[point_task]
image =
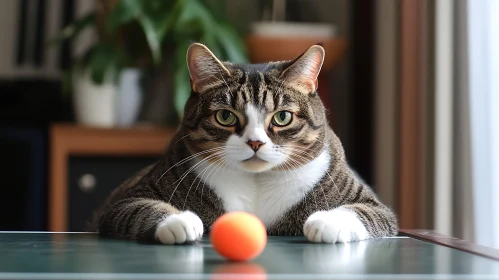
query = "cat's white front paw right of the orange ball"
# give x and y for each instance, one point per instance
(338, 225)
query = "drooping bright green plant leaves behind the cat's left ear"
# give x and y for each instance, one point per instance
(170, 27)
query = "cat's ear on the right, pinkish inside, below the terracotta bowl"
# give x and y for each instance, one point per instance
(303, 72)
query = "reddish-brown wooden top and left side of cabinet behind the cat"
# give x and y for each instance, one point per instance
(71, 139)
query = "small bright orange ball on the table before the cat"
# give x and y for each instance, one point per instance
(238, 236)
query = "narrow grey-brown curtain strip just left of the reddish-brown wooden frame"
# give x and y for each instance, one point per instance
(386, 62)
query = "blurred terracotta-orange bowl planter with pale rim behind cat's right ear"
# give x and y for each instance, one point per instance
(282, 34)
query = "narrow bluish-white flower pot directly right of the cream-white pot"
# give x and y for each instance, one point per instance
(129, 97)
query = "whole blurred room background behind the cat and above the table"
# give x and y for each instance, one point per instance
(92, 90)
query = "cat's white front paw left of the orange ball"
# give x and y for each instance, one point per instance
(179, 228)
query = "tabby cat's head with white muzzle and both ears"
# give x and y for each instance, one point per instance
(255, 117)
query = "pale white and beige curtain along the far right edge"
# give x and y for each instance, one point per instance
(466, 181)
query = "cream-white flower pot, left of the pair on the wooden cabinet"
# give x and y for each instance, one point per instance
(94, 104)
